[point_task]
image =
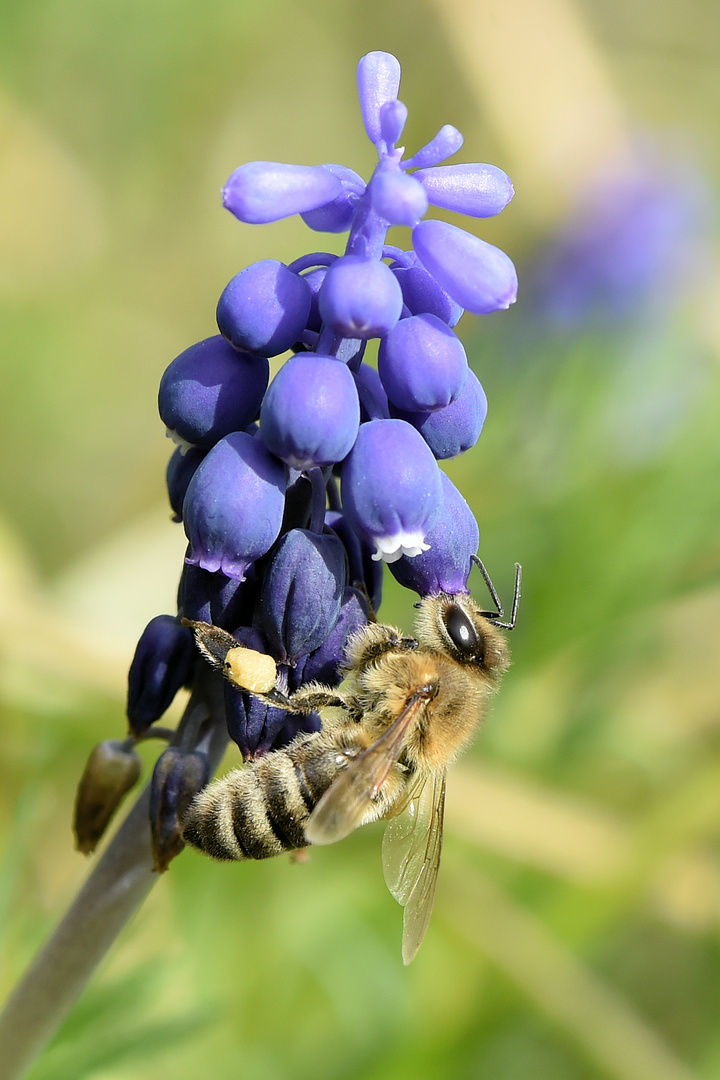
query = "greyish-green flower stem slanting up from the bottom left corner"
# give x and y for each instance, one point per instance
(116, 888)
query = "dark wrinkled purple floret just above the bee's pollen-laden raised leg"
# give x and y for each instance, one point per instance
(302, 593)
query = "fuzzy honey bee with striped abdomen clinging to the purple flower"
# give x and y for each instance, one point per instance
(406, 709)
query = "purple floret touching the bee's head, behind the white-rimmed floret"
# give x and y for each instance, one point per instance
(446, 565)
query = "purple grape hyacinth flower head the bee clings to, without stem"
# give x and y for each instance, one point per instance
(280, 559)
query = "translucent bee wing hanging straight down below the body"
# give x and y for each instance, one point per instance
(412, 850)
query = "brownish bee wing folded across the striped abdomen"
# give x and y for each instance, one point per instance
(350, 796)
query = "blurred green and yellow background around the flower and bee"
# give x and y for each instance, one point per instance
(577, 926)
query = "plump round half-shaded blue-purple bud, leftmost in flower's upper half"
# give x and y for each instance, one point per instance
(210, 390)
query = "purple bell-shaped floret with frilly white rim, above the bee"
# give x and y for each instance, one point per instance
(391, 489)
